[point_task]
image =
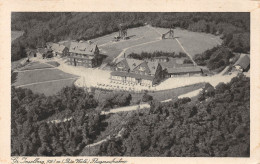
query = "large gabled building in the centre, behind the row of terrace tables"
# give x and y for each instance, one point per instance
(133, 71)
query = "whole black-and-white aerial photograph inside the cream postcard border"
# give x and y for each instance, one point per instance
(131, 84)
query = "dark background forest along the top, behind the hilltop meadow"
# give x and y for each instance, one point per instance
(41, 27)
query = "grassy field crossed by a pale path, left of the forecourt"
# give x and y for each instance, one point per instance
(36, 77)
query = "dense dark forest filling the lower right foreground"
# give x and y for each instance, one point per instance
(216, 125)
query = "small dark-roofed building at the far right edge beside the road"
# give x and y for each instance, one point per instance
(243, 63)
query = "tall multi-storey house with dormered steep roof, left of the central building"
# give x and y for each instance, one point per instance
(84, 54)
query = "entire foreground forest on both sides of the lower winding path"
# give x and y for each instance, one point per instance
(216, 124)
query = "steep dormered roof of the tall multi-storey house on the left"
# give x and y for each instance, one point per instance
(83, 48)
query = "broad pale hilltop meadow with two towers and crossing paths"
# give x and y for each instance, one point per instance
(193, 42)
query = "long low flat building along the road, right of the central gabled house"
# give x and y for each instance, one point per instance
(184, 71)
